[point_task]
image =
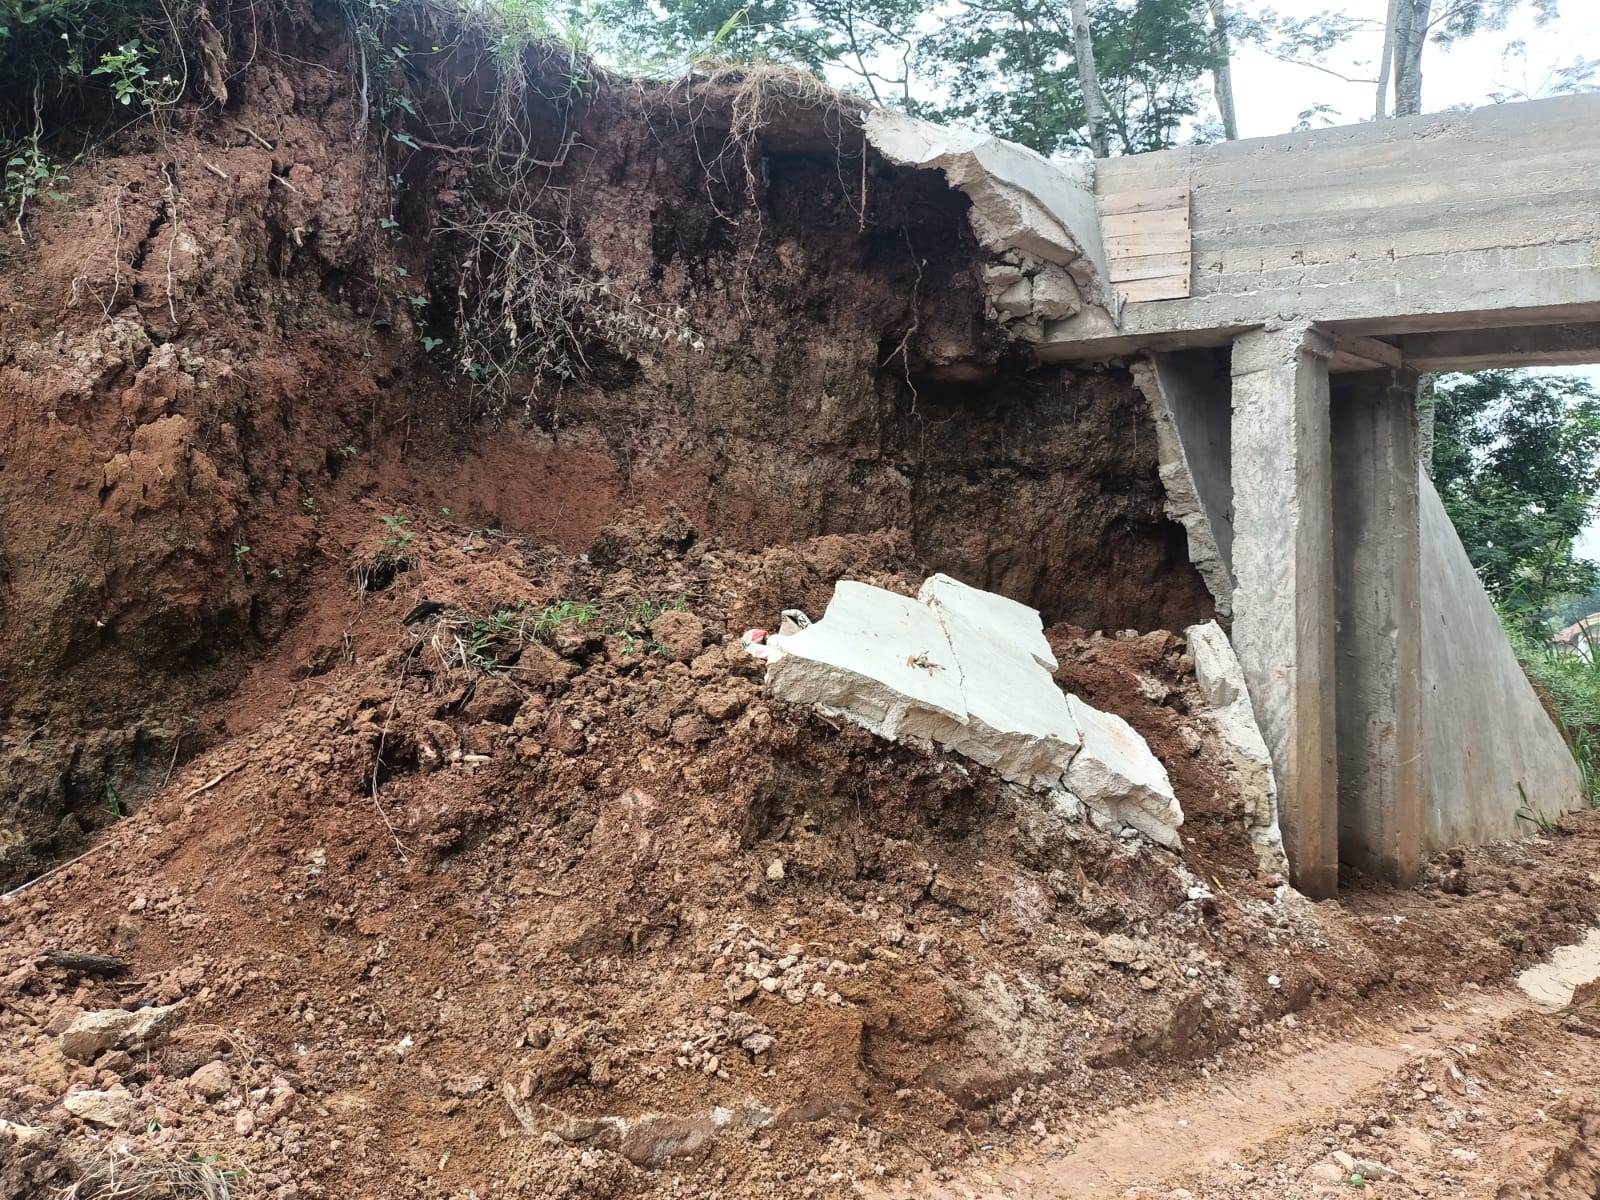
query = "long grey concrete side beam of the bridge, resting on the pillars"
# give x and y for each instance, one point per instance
(1433, 223)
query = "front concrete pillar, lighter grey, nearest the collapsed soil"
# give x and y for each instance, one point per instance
(1284, 620)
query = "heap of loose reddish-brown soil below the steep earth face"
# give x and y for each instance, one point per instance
(543, 892)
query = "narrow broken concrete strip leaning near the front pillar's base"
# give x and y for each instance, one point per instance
(1222, 682)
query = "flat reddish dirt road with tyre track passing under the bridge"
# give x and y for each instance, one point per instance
(1482, 1097)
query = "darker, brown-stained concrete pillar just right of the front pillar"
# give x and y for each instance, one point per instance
(1378, 599)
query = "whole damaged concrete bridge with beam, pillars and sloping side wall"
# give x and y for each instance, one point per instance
(1278, 300)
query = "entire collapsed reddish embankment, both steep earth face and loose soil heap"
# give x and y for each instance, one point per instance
(535, 889)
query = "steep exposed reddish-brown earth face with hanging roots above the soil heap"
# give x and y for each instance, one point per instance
(521, 298)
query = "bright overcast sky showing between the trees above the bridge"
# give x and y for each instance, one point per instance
(1271, 95)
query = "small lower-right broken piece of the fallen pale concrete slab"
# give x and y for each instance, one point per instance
(1119, 780)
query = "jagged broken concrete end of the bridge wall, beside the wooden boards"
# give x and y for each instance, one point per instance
(1034, 212)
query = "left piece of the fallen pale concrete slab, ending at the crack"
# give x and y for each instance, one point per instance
(876, 658)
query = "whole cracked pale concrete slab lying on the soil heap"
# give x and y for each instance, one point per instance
(972, 671)
